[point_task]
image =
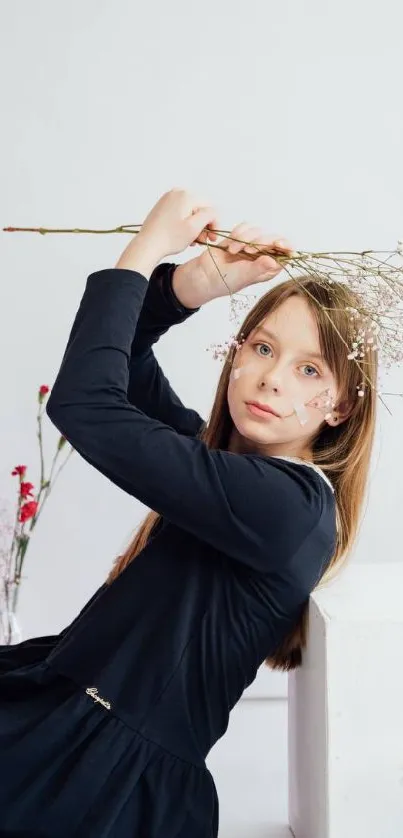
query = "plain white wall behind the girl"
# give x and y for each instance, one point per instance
(287, 114)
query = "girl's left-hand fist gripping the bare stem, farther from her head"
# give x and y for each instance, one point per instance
(176, 220)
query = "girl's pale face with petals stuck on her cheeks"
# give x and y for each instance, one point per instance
(280, 365)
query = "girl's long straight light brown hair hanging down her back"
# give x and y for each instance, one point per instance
(343, 452)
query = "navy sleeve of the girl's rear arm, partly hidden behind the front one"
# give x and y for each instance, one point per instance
(149, 389)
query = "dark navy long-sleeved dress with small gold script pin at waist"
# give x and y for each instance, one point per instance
(105, 727)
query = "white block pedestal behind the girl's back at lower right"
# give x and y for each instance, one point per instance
(345, 710)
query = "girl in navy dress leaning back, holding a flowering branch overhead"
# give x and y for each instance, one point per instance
(105, 728)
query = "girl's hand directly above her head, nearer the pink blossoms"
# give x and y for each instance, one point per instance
(234, 262)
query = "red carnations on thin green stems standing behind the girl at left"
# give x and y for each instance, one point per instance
(29, 508)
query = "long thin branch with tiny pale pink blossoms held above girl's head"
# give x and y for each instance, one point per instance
(376, 277)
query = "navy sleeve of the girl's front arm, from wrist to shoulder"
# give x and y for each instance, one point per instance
(258, 510)
